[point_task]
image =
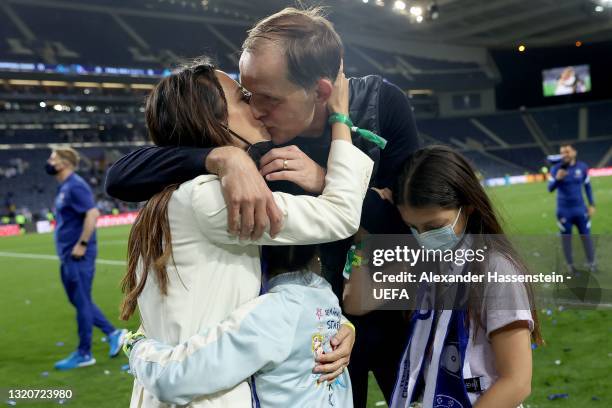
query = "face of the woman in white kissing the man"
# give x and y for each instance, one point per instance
(239, 117)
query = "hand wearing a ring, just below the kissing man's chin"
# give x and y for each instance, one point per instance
(291, 164)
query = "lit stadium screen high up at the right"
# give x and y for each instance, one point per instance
(566, 80)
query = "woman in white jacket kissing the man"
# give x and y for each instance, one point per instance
(185, 271)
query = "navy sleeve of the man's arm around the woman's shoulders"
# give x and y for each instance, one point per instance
(141, 174)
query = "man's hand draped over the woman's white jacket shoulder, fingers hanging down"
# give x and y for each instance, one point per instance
(251, 206)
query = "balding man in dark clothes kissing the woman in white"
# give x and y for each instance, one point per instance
(288, 65)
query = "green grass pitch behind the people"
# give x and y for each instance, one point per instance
(37, 324)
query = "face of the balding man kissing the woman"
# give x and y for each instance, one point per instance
(286, 109)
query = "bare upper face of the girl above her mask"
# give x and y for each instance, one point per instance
(430, 218)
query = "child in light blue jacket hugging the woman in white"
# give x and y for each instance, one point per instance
(276, 337)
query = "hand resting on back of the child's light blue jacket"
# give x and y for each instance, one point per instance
(333, 364)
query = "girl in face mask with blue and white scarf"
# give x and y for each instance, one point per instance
(480, 354)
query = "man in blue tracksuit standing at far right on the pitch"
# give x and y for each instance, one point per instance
(568, 178)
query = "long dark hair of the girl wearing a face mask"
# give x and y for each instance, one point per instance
(439, 176)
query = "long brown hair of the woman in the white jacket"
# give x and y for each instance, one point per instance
(187, 108)
